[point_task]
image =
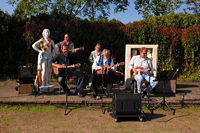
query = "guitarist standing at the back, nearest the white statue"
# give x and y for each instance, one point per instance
(70, 44)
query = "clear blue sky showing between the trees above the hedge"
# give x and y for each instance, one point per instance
(125, 17)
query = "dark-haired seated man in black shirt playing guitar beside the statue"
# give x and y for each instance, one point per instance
(66, 59)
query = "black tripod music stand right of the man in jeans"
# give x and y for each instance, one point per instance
(165, 76)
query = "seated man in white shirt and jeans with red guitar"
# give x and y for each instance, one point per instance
(142, 67)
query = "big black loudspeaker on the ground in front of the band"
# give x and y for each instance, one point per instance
(126, 104)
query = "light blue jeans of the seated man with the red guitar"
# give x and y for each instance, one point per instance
(140, 79)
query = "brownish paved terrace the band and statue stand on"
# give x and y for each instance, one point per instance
(190, 91)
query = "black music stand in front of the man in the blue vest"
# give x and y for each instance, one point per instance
(101, 79)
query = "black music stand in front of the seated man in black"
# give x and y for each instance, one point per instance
(66, 72)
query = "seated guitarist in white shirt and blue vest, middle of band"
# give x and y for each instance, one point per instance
(99, 63)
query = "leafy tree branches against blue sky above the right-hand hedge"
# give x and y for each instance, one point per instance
(149, 8)
